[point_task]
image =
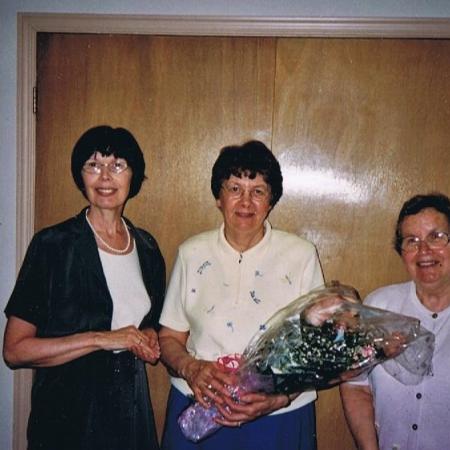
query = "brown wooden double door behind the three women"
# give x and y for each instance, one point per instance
(358, 125)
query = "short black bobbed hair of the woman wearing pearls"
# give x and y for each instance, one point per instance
(107, 141)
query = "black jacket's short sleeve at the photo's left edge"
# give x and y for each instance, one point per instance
(29, 299)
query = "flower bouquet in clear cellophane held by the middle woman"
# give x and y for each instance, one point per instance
(320, 339)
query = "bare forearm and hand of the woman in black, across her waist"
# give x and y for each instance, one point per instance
(21, 347)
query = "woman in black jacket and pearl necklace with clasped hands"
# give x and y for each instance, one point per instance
(85, 309)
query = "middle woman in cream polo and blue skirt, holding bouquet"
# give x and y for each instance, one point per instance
(224, 286)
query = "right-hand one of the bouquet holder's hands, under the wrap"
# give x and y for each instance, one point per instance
(250, 407)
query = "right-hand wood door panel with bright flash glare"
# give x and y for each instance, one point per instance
(360, 126)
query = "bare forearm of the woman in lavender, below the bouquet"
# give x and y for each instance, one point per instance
(359, 412)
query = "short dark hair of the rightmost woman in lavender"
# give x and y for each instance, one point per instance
(414, 205)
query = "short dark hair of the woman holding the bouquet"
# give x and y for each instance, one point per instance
(249, 159)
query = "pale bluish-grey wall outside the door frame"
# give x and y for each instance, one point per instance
(8, 86)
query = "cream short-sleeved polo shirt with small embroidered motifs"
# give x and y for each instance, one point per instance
(223, 297)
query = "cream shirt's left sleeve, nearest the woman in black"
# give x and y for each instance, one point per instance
(173, 314)
